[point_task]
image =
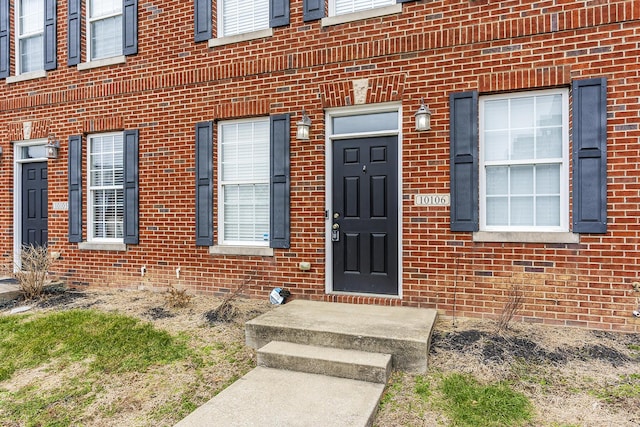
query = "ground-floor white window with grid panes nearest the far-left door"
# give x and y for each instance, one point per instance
(106, 186)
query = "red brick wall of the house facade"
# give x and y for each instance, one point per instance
(430, 50)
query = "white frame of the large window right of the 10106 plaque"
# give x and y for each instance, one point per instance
(563, 227)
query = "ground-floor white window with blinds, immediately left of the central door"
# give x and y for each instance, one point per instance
(244, 182)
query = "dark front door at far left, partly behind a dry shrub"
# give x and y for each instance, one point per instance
(34, 204)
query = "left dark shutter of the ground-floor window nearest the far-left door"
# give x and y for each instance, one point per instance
(75, 188)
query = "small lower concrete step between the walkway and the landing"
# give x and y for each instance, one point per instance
(353, 364)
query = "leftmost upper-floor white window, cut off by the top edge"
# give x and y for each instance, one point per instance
(30, 40)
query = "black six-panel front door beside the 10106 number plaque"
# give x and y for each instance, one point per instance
(365, 215)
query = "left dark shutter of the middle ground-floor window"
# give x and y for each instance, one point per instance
(204, 184)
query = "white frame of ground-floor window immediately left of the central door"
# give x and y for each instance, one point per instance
(221, 185)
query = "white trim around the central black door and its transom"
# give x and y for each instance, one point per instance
(329, 138)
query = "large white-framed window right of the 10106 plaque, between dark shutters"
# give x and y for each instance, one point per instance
(524, 158)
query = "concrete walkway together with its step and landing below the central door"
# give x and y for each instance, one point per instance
(320, 364)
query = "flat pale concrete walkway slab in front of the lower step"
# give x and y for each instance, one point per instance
(269, 397)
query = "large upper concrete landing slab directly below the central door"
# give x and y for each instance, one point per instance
(403, 332)
